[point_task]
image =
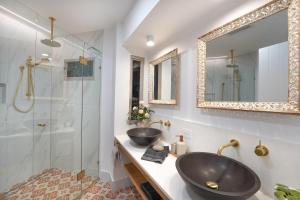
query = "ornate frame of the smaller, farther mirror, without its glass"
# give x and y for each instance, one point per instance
(171, 54)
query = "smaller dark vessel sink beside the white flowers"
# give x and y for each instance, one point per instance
(144, 136)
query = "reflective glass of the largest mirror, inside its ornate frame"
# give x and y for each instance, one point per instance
(250, 64)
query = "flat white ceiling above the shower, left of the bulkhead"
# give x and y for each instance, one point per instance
(78, 16)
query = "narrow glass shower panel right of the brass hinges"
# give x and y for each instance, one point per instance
(90, 115)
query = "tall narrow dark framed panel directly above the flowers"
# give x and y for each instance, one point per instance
(136, 88)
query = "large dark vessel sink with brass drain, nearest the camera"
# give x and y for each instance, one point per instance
(216, 177)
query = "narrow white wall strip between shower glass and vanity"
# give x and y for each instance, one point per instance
(107, 104)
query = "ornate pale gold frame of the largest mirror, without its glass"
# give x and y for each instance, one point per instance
(292, 106)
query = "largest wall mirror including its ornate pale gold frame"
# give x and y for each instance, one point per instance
(252, 63)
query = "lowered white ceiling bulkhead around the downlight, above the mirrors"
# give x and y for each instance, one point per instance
(173, 20)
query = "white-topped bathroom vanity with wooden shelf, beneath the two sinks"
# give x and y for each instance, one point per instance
(164, 178)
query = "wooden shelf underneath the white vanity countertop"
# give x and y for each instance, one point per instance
(136, 178)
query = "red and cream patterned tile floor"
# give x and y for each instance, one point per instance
(63, 185)
